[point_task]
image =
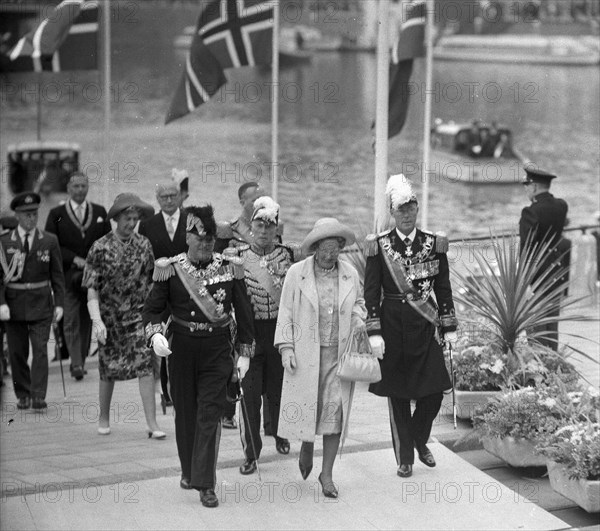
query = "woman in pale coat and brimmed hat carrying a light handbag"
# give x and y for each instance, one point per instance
(321, 302)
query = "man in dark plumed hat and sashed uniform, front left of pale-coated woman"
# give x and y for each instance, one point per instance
(201, 288)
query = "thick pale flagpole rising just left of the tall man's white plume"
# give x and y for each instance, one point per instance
(381, 115)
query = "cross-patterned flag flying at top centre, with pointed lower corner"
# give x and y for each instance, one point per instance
(229, 34)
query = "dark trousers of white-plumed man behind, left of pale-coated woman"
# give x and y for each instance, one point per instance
(265, 375)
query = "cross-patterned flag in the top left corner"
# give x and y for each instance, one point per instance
(64, 40)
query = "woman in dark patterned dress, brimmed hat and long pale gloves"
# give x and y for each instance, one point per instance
(118, 275)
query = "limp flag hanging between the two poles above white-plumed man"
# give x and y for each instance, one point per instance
(411, 44)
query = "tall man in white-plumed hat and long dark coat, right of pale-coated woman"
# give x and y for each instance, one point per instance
(411, 311)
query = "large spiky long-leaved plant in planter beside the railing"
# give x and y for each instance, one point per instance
(515, 293)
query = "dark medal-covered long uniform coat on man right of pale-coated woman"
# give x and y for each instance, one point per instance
(413, 364)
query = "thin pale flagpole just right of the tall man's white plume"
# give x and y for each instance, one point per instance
(429, 5)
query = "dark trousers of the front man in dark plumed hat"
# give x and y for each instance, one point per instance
(199, 369)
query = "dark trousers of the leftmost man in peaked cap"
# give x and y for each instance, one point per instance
(29, 383)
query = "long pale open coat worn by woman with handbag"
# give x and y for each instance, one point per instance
(297, 327)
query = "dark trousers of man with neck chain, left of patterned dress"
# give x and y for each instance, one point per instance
(77, 326)
